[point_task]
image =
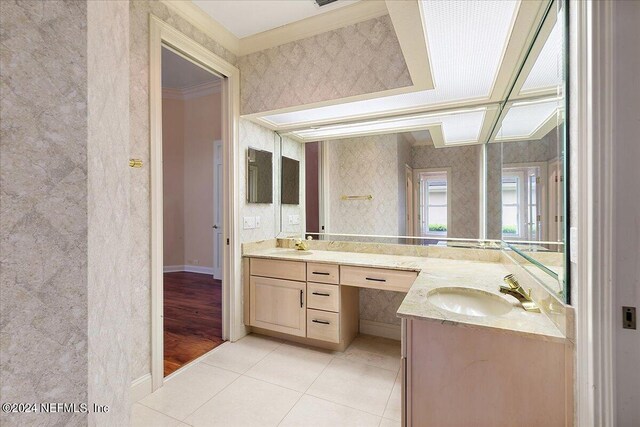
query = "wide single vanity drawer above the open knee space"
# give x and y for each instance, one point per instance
(377, 278)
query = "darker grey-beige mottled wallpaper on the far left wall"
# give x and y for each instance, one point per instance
(43, 208)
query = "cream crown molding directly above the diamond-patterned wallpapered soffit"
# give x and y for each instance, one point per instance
(314, 25)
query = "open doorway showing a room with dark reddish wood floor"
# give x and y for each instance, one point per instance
(192, 210)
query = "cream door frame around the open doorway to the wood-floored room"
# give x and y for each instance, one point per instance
(232, 326)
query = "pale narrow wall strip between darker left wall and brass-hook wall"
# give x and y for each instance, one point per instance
(109, 296)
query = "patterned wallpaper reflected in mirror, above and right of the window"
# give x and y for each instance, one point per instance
(465, 184)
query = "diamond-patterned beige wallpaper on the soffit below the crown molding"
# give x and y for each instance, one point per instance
(354, 60)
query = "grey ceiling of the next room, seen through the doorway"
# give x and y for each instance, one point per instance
(179, 73)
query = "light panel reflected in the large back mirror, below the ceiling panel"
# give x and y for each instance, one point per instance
(457, 128)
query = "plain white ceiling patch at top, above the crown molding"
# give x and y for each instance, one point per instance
(245, 18)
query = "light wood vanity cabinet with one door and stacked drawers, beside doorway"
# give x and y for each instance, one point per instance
(300, 301)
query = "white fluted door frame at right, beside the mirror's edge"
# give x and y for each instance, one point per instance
(592, 108)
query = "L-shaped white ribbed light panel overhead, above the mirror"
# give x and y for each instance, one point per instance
(466, 41)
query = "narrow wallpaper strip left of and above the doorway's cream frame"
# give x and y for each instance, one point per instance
(140, 255)
